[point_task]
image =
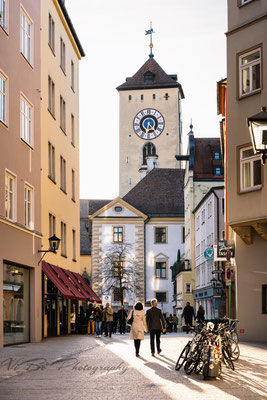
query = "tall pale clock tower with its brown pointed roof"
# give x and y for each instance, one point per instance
(150, 123)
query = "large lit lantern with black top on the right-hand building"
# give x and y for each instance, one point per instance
(258, 131)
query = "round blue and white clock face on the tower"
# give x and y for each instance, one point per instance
(148, 123)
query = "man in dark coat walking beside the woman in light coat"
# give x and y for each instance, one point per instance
(155, 323)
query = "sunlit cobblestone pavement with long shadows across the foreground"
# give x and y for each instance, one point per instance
(84, 367)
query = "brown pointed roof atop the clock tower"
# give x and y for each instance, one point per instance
(160, 78)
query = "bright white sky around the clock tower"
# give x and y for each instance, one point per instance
(189, 41)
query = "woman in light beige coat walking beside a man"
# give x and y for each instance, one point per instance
(138, 327)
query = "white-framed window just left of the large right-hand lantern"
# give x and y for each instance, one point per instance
(250, 170)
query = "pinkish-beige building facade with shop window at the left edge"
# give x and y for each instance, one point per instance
(20, 149)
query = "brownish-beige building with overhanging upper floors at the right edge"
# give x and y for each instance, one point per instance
(246, 181)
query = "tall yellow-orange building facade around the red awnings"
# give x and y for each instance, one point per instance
(61, 53)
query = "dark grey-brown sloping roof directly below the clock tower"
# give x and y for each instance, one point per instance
(160, 193)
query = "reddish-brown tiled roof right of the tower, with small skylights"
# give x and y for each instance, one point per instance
(204, 162)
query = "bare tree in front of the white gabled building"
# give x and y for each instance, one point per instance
(119, 270)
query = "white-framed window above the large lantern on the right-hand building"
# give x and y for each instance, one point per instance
(250, 72)
